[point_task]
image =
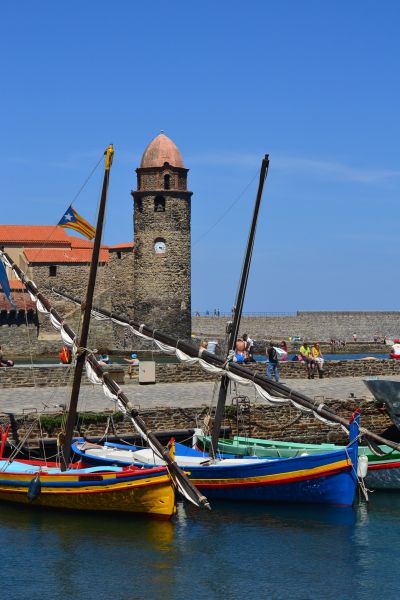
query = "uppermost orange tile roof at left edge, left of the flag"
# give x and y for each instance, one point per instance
(33, 234)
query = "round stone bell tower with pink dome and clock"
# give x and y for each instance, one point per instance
(161, 222)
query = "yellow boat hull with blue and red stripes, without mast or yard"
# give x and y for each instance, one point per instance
(116, 489)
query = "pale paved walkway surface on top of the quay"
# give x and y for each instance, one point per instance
(19, 400)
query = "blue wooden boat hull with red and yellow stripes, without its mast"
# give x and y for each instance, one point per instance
(324, 478)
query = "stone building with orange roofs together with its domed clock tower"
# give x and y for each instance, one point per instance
(148, 280)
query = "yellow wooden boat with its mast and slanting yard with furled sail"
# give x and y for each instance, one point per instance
(145, 491)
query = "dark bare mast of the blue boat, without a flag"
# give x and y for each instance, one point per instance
(238, 308)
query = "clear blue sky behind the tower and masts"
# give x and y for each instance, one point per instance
(312, 83)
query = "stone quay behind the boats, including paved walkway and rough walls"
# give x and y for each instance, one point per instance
(170, 406)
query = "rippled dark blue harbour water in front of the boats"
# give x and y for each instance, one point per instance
(250, 552)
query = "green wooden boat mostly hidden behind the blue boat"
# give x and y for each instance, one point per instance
(383, 470)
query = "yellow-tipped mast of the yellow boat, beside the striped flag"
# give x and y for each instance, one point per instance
(87, 307)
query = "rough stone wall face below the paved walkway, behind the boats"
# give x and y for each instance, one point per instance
(285, 423)
